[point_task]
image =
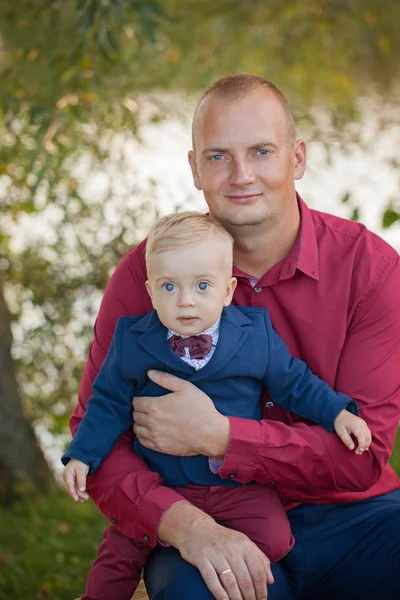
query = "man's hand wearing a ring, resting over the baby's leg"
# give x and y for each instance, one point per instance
(232, 566)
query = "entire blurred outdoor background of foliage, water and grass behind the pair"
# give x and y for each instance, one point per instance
(96, 98)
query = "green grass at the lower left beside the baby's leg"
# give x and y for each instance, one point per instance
(47, 546)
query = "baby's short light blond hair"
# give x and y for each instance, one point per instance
(182, 229)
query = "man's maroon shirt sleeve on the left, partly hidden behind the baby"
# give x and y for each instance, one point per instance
(125, 490)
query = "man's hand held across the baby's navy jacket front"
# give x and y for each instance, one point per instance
(183, 423)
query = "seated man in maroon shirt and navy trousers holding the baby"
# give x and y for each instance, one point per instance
(333, 291)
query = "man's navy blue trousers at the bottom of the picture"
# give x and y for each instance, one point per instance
(342, 552)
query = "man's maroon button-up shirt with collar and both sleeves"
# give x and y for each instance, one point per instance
(335, 300)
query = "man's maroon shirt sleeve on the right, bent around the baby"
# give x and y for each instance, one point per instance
(305, 461)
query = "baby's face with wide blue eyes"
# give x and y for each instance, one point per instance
(190, 285)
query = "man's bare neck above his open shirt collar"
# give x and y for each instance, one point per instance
(258, 249)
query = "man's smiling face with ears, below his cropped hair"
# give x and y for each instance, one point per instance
(244, 159)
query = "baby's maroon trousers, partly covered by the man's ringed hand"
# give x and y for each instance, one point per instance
(253, 509)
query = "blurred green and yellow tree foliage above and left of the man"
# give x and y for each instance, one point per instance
(77, 74)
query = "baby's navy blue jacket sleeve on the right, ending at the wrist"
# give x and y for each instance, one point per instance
(292, 385)
